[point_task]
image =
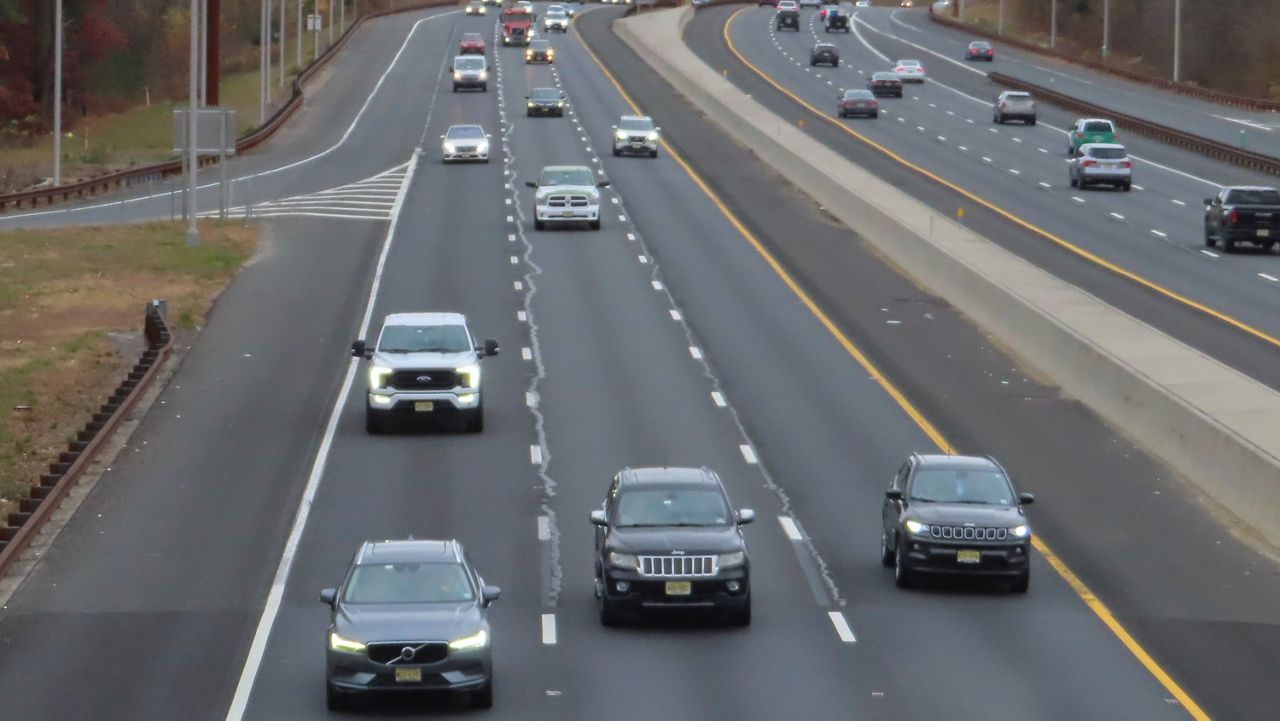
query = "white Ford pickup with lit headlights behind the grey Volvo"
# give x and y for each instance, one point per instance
(424, 366)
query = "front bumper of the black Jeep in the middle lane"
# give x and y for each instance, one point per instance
(647, 594)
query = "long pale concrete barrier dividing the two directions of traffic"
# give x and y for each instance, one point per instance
(1213, 425)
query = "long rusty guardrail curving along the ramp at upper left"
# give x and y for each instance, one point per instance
(148, 174)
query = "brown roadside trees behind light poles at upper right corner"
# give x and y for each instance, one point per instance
(1228, 45)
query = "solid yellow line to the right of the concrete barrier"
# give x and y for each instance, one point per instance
(1002, 212)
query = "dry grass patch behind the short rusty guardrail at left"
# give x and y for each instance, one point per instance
(71, 323)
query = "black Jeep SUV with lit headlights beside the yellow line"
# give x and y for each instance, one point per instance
(956, 515)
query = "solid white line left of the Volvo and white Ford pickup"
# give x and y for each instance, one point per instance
(272, 609)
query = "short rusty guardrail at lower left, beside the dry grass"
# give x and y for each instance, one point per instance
(44, 499)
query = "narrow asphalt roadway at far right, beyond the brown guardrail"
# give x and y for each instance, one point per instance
(1259, 130)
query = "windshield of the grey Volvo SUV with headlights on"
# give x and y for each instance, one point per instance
(409, 583)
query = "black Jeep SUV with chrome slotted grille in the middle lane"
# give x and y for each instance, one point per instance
(668, 539)
